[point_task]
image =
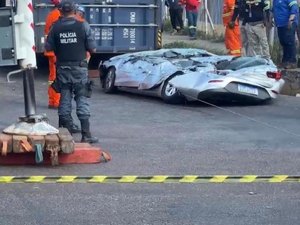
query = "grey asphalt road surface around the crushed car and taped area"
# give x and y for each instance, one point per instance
(148, 137)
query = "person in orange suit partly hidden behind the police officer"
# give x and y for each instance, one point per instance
(53, 16)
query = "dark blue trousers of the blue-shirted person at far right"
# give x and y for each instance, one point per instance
(287, 40)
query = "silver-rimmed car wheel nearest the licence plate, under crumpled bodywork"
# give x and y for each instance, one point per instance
(170, 94)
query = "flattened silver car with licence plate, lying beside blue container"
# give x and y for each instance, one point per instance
(177, 75)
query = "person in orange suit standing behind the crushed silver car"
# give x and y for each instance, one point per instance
(232, 33)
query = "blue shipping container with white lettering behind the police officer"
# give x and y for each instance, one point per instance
(119, 26)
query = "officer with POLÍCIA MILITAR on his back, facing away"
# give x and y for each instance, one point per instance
(70, 39)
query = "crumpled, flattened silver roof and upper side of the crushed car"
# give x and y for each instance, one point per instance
(147, 69)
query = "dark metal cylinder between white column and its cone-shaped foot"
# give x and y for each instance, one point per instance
(29, 93)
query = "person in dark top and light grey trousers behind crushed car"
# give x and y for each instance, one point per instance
(255, 14)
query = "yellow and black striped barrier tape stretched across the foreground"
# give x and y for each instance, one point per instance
(165, 179)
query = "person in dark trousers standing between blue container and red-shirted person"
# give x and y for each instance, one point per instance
(176, 11)
